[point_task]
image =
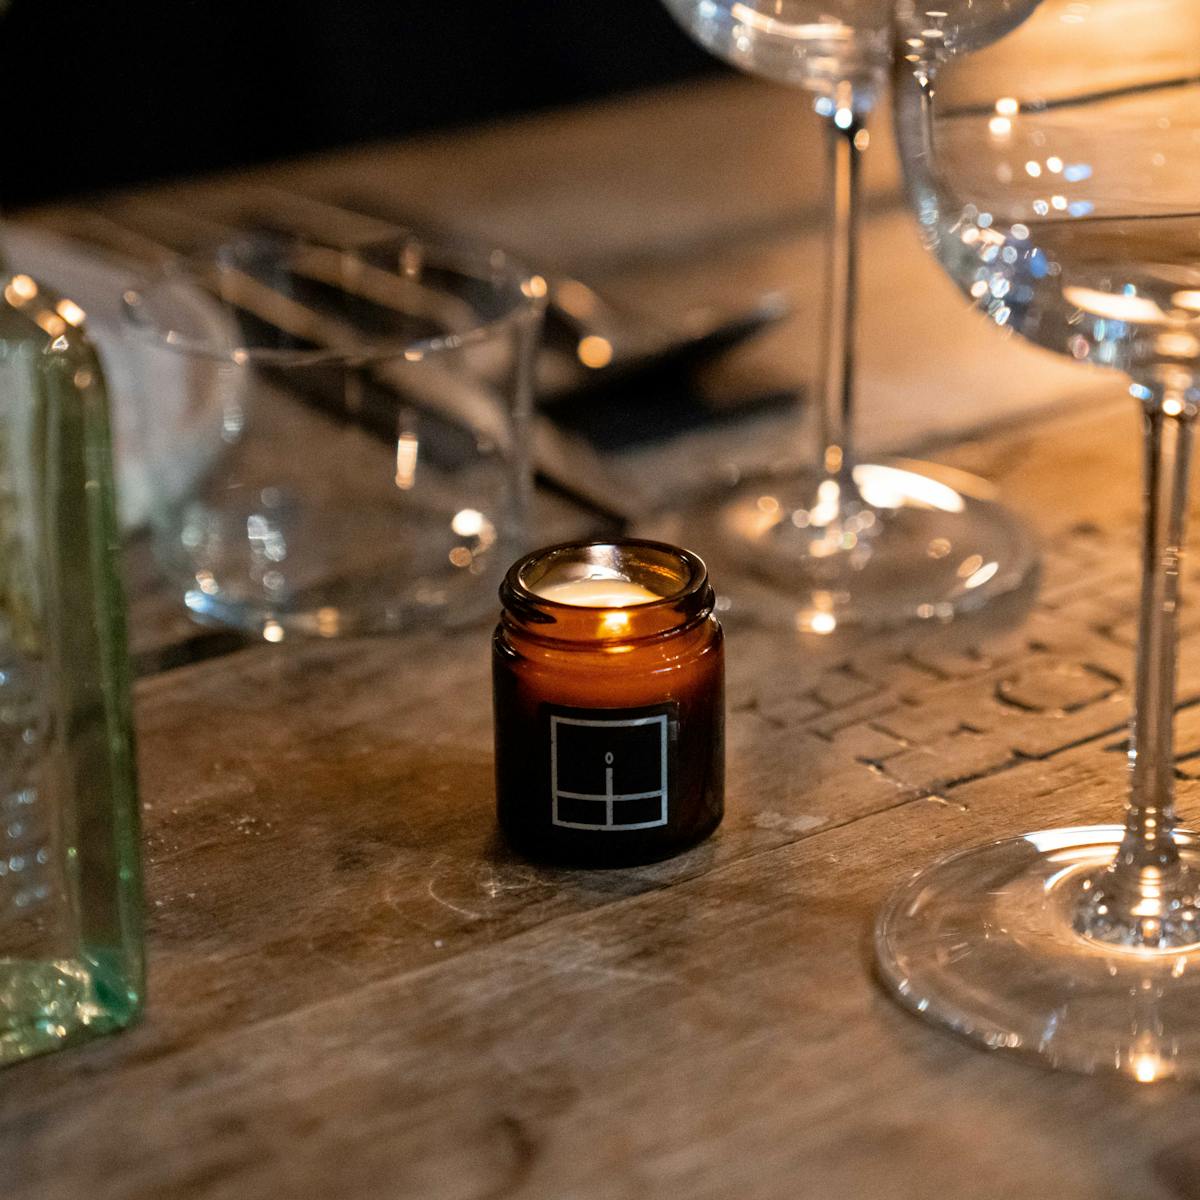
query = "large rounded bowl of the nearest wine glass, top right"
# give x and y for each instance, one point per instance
(1081, 243)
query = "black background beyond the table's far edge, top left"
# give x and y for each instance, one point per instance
(116, 93)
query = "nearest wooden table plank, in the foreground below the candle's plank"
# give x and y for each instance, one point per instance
(722, 1037)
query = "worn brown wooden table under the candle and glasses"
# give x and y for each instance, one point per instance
(358, 993)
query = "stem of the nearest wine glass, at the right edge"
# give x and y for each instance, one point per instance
(1151, 817)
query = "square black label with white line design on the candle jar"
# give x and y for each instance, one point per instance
(610, 770)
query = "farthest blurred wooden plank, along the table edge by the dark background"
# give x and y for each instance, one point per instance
(565, 190)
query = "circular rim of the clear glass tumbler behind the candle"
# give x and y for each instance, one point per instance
(523, 293)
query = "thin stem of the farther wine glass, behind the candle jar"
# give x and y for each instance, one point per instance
(847, 140)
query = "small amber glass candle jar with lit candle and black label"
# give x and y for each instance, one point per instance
(609, 687)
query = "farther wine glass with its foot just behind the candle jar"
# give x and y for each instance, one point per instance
(848, 543)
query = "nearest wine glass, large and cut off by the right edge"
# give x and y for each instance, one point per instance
(1057, 176)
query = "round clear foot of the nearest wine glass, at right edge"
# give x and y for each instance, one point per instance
(983, 944)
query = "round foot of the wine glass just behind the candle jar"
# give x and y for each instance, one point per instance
(916, 542)
